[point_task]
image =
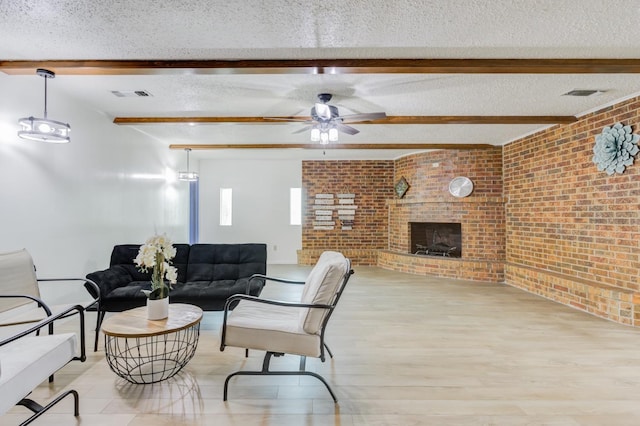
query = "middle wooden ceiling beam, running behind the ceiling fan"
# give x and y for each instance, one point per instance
(401, 119)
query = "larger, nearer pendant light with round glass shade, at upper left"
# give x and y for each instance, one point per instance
(43, 129)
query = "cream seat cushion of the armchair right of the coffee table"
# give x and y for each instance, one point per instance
(272, 328)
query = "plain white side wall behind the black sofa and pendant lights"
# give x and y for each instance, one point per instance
(69, 204)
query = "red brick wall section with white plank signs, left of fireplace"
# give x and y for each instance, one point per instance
(372, 183)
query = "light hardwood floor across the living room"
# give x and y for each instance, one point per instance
(409, 350)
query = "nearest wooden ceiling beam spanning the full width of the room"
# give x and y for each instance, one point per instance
(326, 66)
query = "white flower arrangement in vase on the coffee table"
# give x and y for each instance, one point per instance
(156, 253)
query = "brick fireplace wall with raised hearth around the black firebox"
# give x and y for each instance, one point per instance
(428, 200)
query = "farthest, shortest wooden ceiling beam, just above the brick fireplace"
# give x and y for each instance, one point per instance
(412, 146)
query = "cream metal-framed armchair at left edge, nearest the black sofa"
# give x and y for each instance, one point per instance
(20, 301)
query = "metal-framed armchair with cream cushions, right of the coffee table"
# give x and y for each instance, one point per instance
(296, 328)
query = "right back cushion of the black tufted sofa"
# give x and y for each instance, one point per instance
(218, 262)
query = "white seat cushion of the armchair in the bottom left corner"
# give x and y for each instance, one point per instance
(29, 361)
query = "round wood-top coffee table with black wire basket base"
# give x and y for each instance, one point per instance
(144, 351)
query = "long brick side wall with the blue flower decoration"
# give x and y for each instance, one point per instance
(573, 233)
